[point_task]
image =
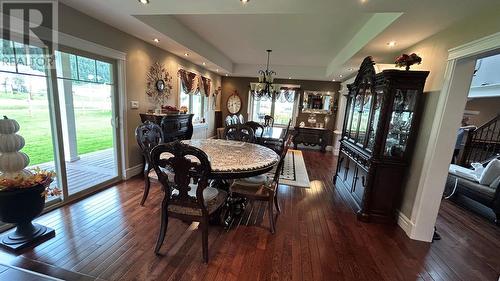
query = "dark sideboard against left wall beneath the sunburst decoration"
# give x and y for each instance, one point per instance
(174, 126)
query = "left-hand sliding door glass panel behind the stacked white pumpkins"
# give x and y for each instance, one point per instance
(25, 97)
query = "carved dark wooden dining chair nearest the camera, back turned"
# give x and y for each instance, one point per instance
(189, 197)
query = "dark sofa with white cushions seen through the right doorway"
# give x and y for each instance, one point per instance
(472, 184)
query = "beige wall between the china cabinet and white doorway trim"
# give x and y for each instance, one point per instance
(434, 52)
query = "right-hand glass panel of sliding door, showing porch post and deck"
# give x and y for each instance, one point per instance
(86, 101)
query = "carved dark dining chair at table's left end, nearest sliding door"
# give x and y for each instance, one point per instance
(148, 135)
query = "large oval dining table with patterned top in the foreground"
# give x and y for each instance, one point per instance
(231, 160)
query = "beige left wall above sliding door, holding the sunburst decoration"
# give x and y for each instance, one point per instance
(140, 56)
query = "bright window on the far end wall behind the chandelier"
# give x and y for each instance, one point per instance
(280, 108)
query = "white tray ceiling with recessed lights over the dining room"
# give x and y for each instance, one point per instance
(313, 39)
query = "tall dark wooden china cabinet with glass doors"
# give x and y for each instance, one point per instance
(379, 131)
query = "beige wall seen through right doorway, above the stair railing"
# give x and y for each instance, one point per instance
(488, 108)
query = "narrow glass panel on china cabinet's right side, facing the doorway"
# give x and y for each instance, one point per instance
(400, 124)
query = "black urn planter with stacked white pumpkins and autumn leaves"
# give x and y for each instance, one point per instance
(22, 192)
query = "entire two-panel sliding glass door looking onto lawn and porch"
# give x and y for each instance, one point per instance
(68, 116)
